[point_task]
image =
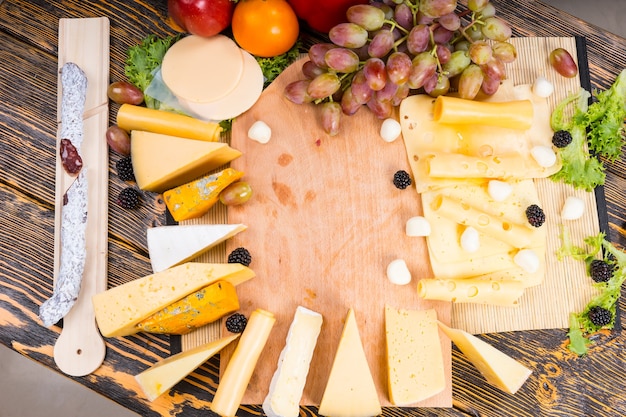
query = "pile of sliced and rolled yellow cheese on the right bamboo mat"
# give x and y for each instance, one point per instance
(455, 148)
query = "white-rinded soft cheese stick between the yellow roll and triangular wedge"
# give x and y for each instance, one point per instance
(287, 384)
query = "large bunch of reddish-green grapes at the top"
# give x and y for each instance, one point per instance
(392, 48)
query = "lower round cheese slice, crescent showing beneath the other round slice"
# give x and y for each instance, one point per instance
(245, 94)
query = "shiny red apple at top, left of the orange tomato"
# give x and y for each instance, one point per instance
(201, 17)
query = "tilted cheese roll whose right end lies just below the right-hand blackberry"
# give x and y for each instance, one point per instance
(516, 235)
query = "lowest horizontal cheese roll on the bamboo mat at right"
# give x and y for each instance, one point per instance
(472, 290)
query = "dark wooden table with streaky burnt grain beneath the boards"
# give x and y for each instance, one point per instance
(561, 384)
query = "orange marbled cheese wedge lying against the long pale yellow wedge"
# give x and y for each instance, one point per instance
(195, 310)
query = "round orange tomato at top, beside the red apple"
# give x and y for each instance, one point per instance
(265, 28)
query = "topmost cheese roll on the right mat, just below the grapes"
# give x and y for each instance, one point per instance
(516, 114)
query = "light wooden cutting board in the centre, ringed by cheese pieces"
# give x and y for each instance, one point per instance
(324, 222)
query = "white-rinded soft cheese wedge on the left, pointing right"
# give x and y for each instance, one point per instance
(172, 245)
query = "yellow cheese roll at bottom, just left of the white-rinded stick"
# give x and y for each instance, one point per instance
(239, 370)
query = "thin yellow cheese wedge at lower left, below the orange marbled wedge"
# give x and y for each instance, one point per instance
(163, 375)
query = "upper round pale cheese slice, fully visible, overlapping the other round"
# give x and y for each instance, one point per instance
(202, 69)
